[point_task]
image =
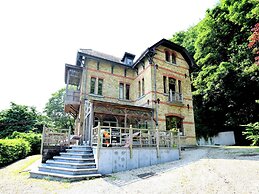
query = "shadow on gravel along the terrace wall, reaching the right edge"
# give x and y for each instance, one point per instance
(189, 156)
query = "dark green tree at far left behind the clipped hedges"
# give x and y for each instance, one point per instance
(18, 118)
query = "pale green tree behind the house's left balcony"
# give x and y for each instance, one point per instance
(55, 110)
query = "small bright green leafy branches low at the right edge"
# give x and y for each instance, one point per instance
(252, 133)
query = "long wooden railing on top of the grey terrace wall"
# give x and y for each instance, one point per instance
(133, 137)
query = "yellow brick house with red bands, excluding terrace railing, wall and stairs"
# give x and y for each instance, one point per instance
(154, 90)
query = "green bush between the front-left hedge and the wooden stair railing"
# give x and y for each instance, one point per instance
(33, 138)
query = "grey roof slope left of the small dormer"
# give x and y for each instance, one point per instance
(101, 55)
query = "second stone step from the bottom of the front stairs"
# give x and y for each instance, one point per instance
(68, 171)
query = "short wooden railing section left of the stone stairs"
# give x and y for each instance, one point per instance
(55, 137)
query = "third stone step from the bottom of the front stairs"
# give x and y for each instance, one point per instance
(70, 165)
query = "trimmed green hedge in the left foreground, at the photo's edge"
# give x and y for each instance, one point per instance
(12, 150)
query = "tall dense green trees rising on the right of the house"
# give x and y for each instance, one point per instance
(226, 84)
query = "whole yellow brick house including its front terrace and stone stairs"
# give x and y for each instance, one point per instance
(126, 110)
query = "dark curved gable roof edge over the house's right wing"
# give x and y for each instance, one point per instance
(171, 45)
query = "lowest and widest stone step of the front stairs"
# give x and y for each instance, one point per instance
(59, 177)
